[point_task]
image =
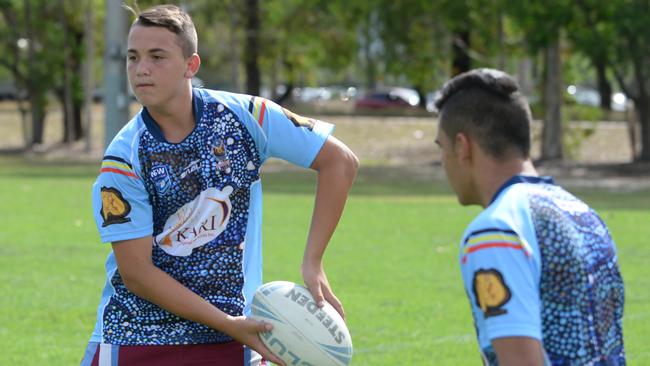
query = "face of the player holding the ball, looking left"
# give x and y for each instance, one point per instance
(156, 67)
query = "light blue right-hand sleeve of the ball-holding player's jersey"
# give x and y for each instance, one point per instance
(288, 136)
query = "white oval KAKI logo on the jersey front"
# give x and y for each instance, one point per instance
(196, 223)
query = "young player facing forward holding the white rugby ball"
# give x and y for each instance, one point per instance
(179, 198)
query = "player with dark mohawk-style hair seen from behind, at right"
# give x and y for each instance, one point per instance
(539, 266)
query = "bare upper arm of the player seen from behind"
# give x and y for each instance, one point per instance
(519, 351)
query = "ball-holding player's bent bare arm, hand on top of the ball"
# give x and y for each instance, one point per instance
(337, 167)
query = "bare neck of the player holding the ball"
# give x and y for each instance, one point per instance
(175, 117)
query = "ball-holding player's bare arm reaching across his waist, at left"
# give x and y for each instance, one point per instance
(151, 283)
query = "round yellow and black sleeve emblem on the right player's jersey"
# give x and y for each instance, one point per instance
(490, 291)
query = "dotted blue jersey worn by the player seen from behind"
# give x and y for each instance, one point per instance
(538, 262)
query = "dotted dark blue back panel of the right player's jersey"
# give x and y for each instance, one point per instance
(581, 289)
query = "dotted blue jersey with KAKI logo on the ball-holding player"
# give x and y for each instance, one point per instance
(201, 200)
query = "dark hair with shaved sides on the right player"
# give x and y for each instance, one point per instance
(487, 105)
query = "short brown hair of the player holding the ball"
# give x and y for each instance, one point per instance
(174, 19)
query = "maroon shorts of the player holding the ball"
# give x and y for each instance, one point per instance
(224, 354)
